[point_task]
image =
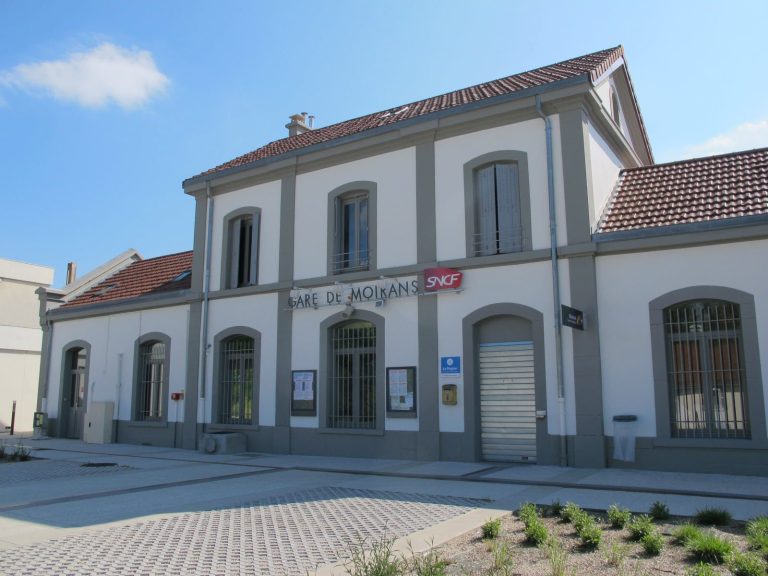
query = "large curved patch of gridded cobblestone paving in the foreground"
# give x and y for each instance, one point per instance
(276, 536)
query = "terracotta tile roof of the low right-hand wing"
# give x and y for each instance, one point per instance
(702, 189)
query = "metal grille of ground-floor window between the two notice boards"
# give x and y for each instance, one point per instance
(352, 376)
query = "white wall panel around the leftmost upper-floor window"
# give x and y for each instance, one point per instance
(267, 198)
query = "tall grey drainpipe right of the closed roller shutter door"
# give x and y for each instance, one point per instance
(555, 283)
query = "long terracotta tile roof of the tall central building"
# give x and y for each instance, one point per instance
(593, 65)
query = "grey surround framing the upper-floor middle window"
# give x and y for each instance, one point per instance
(336, 196)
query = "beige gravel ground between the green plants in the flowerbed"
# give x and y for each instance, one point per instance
(471, 555)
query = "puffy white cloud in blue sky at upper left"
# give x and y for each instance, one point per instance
(93, 79)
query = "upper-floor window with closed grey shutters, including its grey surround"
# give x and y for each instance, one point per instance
(497, 204)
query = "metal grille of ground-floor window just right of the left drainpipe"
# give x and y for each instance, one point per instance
(236, 384)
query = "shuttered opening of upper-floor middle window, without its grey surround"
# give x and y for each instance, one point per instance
(352, 251)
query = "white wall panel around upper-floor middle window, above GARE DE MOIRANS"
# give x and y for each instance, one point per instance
(395, 176)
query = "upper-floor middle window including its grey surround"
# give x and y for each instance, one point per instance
(352, 222)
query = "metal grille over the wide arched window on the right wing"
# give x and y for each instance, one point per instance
(706, 372)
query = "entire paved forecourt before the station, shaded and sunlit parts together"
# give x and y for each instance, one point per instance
(123, 509)
